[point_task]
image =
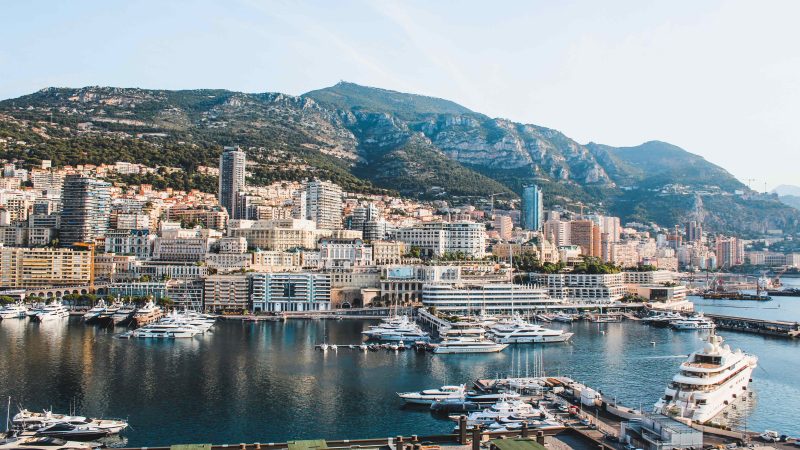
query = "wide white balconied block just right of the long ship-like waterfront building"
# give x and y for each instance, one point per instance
(583, 288)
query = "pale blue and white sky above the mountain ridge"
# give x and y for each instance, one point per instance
(718, 78)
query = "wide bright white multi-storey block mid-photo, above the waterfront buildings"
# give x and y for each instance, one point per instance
(439, 238)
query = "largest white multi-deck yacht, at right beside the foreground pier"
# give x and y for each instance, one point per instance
(708, 381)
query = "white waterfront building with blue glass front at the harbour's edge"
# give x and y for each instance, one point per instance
(278, 292)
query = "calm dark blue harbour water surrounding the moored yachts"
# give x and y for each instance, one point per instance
(265, 383)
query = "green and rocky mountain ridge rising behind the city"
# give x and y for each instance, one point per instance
(377, 140)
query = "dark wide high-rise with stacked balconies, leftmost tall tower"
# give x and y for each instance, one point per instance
(86, 209)
